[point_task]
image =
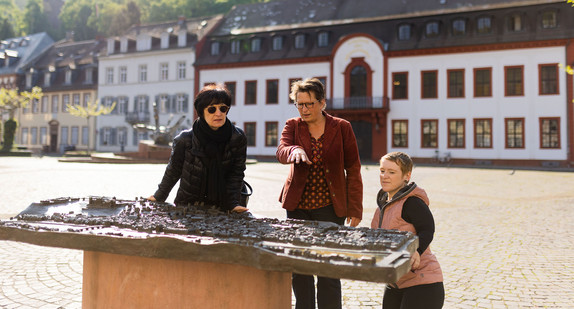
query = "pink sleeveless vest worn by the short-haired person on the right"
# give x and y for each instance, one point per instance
(429, 270)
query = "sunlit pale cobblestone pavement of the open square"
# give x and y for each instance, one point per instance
(504, 238)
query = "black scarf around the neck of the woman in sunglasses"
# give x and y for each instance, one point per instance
(213, 186)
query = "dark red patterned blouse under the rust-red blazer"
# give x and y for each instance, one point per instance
(316, 193)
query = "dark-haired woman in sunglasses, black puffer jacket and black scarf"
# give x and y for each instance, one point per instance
(208, 159)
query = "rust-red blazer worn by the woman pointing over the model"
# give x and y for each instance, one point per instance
(340, 159)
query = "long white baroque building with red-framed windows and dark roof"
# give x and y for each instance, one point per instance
(478, 82)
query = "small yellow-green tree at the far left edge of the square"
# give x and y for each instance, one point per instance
(10, 101)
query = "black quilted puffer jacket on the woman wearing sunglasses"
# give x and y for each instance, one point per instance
(185, 164)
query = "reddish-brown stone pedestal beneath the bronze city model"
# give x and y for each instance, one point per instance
(123, 281)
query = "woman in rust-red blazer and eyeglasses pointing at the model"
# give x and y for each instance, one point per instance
(324, 183)
